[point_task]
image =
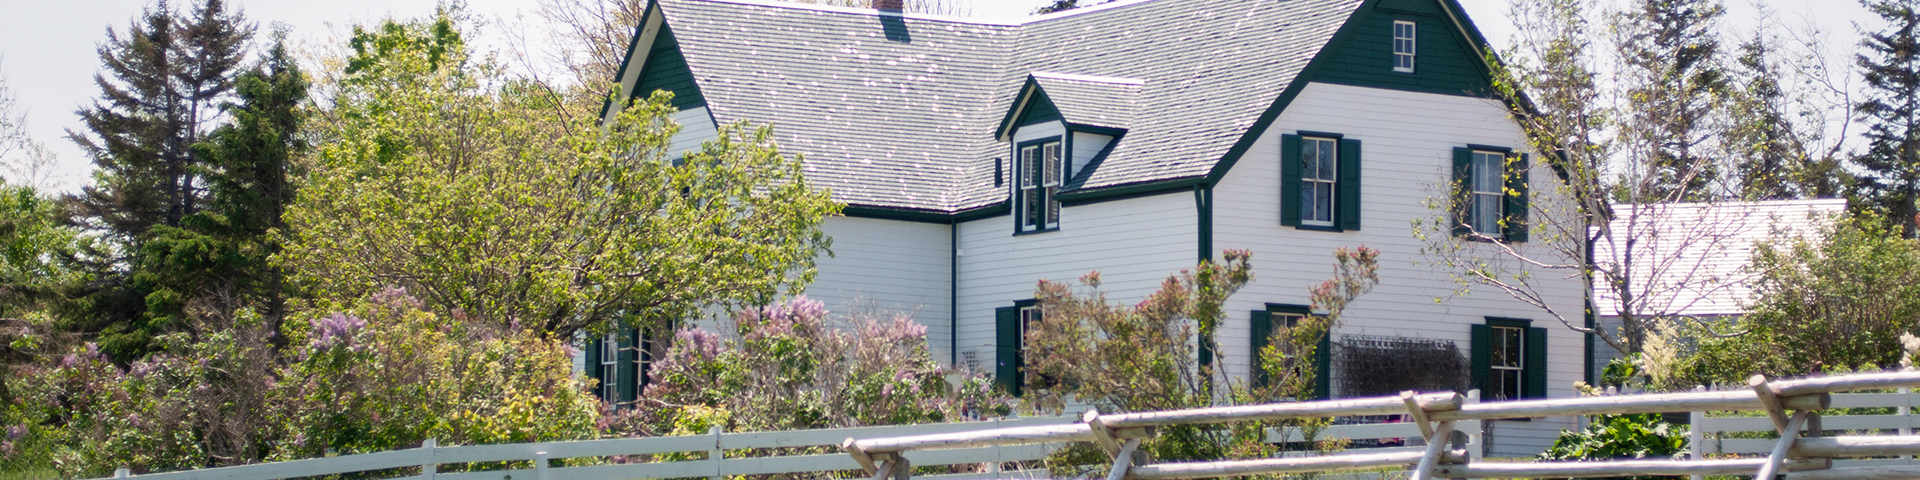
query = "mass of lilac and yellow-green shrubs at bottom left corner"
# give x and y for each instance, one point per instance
(383, 375)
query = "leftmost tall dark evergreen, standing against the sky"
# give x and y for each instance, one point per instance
(160, 93)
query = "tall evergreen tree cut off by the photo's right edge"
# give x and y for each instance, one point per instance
(1890, 66)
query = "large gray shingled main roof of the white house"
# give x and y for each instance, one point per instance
(901, 110)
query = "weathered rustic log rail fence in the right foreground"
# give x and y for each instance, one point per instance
(1792, 408)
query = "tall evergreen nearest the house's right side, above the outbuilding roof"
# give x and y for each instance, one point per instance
(1675, 87)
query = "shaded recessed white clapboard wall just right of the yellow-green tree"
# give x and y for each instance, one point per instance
(890, 268)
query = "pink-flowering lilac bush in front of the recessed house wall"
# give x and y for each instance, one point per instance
(788, 368)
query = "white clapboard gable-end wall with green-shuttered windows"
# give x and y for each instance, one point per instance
(1408, 143)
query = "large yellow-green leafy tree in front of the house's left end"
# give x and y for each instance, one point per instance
(471, 191)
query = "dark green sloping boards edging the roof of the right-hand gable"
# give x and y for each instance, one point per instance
(1464, 30)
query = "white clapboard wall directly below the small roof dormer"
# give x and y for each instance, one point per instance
(1134, 243)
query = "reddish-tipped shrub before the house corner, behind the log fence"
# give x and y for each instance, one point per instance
(1141, 358)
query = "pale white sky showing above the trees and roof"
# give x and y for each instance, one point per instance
(47, 49)
